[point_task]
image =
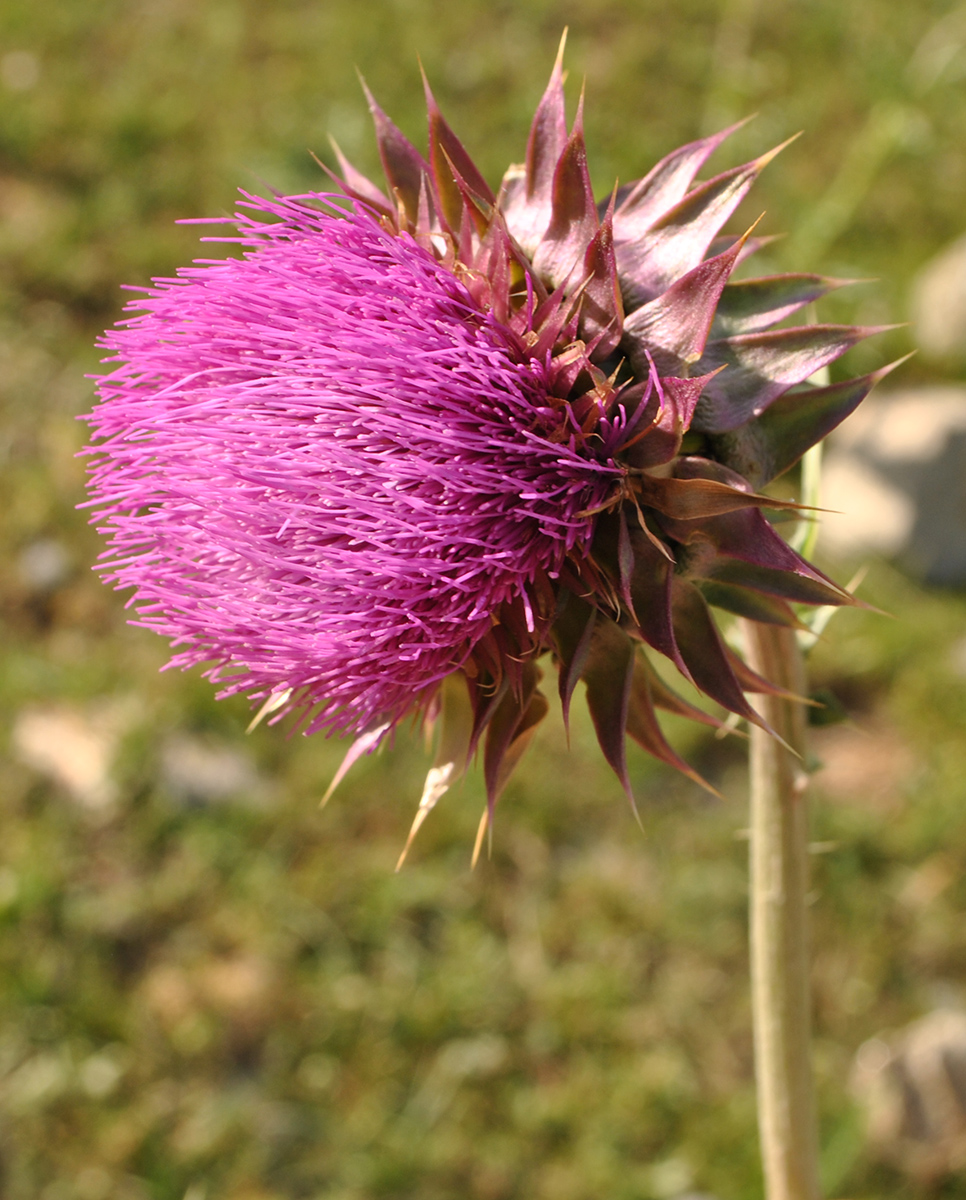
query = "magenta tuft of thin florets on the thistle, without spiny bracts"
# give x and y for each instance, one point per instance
(323, 469)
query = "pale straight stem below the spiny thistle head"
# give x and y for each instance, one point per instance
(779, 865)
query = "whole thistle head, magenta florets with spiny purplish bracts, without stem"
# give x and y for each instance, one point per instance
(416, 439)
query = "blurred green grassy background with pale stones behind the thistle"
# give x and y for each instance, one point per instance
(212, 989)
